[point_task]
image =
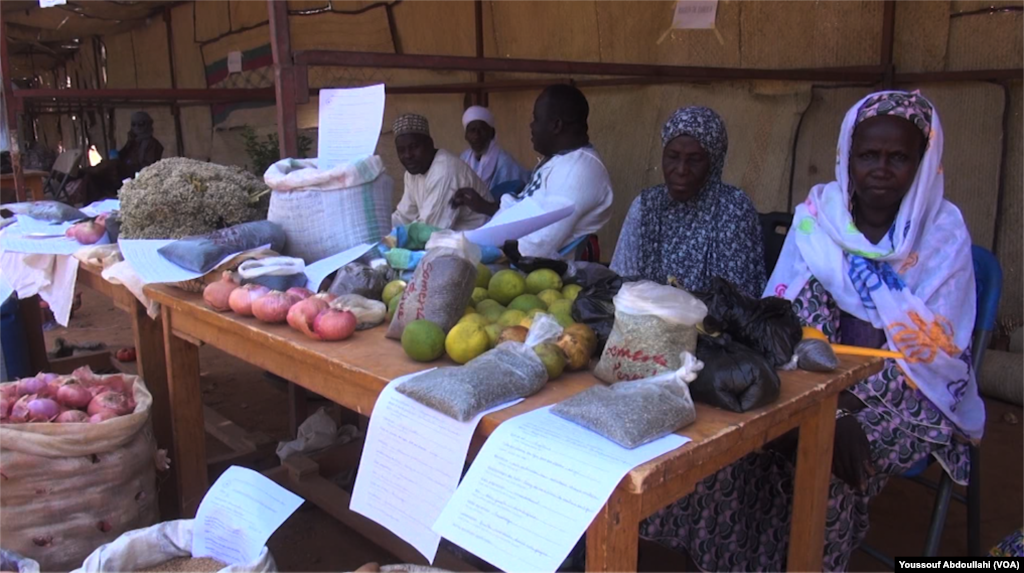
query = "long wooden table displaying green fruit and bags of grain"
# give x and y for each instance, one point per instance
(354, 373)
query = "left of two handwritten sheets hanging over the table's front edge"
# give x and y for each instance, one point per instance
(411, 465)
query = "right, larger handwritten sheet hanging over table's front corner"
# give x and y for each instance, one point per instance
(534, 490)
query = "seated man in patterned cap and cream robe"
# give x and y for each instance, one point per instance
(433, 178)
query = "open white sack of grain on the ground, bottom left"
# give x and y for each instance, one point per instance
(148, 548)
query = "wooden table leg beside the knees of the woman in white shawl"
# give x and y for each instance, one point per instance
(807, 533)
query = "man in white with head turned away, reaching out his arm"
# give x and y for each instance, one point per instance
(572, 170)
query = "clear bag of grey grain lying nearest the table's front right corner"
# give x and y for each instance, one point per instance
(632, 414)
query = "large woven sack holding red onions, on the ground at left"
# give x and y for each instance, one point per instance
(68, 489)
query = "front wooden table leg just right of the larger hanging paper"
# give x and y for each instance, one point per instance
(614, 538)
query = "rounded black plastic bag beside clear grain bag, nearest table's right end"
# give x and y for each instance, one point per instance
(736, 378)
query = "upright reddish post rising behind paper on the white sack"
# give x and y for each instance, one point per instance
(284, 75)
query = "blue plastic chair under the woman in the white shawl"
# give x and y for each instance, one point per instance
(989, 282)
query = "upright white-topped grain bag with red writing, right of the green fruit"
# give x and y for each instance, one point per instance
(655, 325)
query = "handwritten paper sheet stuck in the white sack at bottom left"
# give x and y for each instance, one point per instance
(239, 514)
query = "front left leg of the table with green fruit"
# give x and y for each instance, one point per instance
(186, 405)
